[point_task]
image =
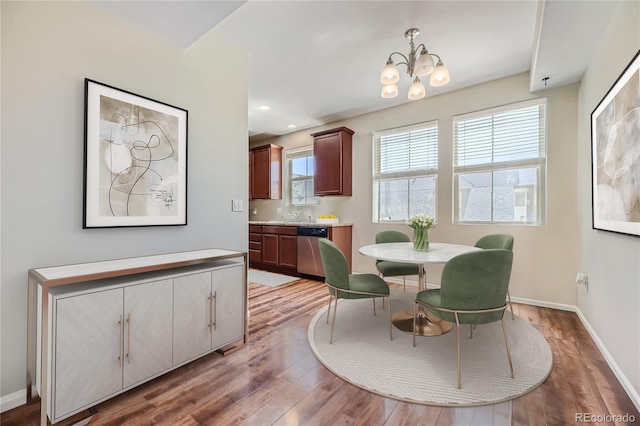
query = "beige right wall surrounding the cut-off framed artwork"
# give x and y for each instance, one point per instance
(612, 261)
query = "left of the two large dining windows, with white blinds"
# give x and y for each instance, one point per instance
(405, 169)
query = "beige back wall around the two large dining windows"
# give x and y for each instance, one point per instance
(545, 262)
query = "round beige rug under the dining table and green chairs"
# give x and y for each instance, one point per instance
(363, 355)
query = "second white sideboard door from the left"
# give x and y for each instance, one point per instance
(148, 320)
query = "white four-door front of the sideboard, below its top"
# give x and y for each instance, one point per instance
(108, 336)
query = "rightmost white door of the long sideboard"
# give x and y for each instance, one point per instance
(228, 314)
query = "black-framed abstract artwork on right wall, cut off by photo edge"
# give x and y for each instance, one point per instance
(615, 139)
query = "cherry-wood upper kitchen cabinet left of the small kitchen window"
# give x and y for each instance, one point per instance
(265, 173)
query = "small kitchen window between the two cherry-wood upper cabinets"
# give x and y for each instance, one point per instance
(300, 177)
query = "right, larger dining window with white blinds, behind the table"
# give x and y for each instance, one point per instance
(499, 164)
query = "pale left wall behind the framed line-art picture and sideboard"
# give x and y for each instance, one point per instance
(48, 48)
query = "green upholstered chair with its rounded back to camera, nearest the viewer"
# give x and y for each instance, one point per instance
(473, 291)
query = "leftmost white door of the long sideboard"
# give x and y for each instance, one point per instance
(88, 353)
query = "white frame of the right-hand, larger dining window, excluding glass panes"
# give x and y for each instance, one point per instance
(539, 163)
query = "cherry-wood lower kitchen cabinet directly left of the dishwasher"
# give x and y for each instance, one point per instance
(280, 247)
